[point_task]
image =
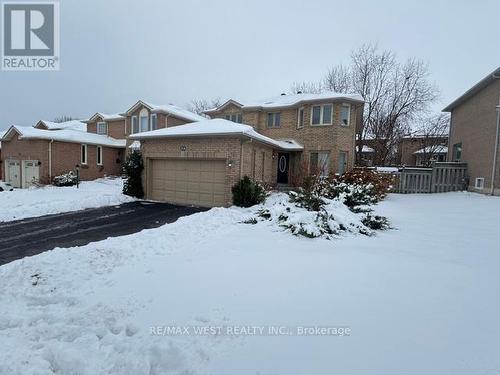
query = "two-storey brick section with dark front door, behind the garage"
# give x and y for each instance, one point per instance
(324, 124)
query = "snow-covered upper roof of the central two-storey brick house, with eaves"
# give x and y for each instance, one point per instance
(292, 100)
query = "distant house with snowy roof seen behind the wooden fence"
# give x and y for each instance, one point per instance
(421, 149)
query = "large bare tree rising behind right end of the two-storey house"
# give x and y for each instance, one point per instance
(395, 94)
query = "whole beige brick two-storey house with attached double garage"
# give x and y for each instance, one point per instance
(271, 141)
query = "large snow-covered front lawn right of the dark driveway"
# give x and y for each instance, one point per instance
(420, 299)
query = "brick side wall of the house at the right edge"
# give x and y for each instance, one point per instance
(473, 124)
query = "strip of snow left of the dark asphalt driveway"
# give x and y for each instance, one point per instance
(34, 202)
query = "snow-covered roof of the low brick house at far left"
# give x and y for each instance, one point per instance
(64, 135)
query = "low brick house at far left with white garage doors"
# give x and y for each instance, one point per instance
(33, 155)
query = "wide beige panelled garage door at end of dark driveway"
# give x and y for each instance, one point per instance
(191, 182)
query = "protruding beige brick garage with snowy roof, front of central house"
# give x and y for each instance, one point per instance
(198, 163)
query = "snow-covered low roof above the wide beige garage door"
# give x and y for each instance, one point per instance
(214, 128)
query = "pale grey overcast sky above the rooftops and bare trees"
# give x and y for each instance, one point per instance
(115, 52)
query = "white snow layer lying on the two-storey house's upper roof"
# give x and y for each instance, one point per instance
(295, 99)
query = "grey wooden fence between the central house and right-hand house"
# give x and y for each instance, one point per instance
(440, 178)
